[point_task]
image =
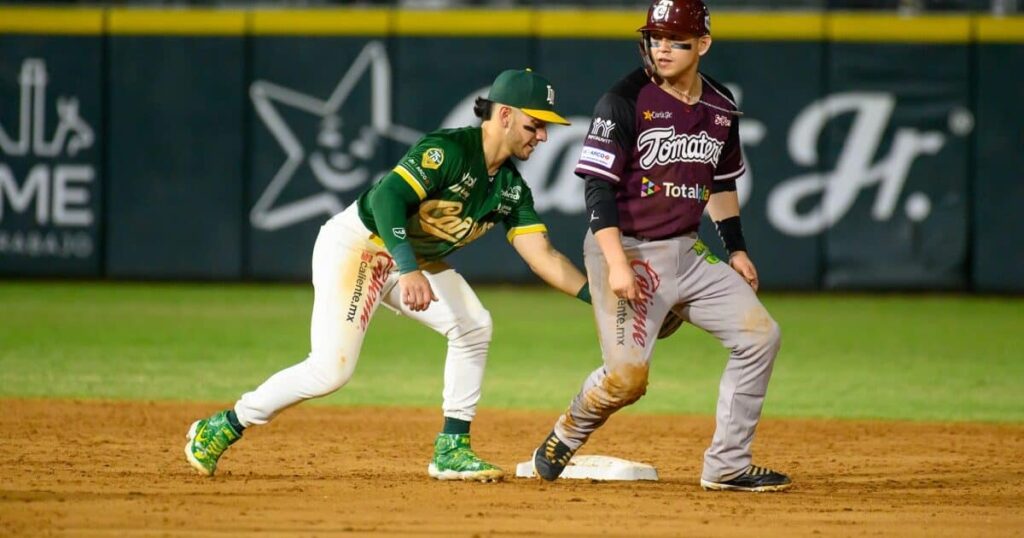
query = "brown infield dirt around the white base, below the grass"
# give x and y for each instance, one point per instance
(88, 469)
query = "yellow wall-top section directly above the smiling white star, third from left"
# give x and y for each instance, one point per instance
(321, 22)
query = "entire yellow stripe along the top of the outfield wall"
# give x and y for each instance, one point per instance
(580, 24)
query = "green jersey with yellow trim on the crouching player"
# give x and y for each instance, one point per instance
(459, 202)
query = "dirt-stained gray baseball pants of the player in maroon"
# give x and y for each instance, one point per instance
(679, 274)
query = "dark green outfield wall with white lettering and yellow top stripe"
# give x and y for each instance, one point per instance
(885, 152)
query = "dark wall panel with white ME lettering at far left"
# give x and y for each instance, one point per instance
(51, 155)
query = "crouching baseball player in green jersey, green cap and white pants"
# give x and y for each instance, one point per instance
(389, 247)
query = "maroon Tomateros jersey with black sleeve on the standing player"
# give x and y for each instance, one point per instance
(665, 157)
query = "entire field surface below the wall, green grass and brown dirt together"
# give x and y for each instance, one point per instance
(895, 416)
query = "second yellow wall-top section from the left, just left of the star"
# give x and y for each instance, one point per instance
(178, 22)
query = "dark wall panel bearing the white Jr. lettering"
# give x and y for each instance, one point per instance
(895, 134)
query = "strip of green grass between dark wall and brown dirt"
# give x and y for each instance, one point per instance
(919, 357)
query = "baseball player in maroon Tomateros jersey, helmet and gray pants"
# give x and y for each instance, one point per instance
(664, 145)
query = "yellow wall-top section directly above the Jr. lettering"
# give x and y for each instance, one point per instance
(874, 28)
